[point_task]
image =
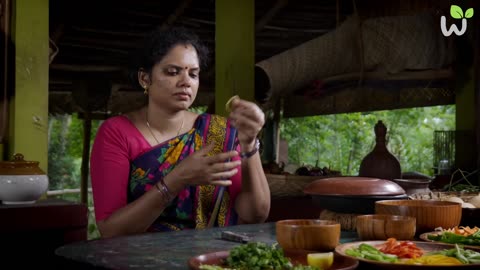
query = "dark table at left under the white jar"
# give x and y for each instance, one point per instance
(30, 233)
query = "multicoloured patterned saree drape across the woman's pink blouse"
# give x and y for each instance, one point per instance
(193, 206)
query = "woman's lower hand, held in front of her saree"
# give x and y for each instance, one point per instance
(201, 169)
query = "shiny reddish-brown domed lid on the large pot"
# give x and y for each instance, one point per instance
(353, 186)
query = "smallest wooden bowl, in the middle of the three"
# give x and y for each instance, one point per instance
(382, 227)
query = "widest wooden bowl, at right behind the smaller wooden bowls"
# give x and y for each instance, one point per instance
(429, 214)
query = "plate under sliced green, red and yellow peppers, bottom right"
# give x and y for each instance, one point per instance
(425, 246)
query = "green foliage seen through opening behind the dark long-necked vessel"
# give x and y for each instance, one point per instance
(341, 141)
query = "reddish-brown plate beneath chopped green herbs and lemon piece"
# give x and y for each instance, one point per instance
(296, 257)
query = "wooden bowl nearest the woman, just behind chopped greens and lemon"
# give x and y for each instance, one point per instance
(308, 234)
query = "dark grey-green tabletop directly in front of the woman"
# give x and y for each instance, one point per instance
(170, 250)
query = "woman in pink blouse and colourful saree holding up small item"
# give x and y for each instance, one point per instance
(164, 168)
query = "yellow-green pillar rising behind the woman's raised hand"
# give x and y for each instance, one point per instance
(234, 51)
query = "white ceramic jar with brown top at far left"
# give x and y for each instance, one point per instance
(21, 181)
